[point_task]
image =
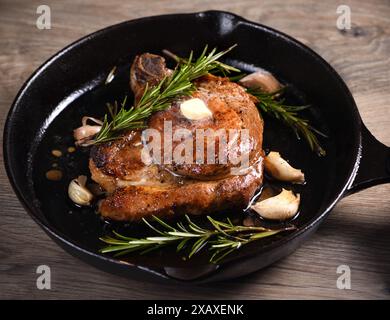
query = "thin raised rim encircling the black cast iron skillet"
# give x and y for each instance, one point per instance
(33, 211)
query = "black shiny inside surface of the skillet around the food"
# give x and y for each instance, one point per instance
(72, 85)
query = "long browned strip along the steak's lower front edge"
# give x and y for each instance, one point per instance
(133, 203)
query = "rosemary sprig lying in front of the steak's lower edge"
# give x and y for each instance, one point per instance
(221, 240)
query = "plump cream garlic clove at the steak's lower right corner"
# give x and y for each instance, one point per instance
(281, 207)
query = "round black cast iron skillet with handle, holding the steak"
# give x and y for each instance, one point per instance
(69, 85)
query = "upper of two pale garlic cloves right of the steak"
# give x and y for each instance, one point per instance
(281, 170)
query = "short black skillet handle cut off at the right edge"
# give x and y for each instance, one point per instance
(374, 166)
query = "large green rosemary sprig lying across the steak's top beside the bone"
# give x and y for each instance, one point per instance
(159, 97)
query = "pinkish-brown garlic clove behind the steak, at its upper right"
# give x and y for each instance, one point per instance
(261, 79)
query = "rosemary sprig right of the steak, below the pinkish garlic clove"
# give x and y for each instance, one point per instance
(272, 104)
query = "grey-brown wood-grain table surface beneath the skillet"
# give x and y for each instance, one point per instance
(356, 234)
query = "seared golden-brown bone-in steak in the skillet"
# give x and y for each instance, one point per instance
(137, 190)
